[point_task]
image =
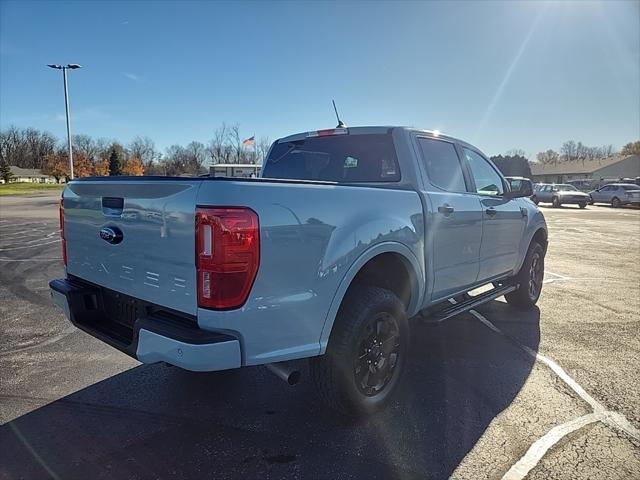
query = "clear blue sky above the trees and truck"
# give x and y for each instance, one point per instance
(500, 75)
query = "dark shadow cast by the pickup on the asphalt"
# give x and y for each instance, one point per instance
(156, 421)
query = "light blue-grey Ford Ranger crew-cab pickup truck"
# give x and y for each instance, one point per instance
(348, 233)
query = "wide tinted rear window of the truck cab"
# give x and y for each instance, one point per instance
(335, 158)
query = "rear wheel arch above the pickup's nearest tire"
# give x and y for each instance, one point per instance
(391, 254)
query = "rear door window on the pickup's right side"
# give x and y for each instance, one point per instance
(443, 165)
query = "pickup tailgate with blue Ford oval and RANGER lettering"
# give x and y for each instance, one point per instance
(152, 255)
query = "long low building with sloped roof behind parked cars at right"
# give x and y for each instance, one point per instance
(611, 169)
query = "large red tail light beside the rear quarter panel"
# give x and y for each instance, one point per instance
(227, 255)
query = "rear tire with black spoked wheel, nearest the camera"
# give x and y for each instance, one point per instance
(346, 376)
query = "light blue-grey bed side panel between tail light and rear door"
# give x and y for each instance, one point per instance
(313, 238)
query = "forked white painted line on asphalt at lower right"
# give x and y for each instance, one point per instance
(541, 446)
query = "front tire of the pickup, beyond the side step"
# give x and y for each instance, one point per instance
(532, 270)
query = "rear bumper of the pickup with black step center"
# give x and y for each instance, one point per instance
(151, 335)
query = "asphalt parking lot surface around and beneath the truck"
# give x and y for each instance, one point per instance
(548, 393)
